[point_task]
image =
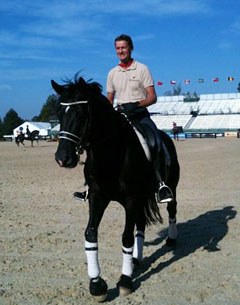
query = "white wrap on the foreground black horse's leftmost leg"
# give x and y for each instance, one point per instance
(91, 250)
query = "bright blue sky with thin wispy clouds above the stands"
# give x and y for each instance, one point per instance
(178, 40)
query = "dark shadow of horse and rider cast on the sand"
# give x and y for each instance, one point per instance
(205, 232)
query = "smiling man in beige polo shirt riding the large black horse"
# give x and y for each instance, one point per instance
(130, 83)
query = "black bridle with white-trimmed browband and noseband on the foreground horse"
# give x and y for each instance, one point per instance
(80, 142)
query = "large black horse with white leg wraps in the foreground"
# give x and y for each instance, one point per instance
(116, 169)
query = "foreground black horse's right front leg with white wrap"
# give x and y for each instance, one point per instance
(125, 283)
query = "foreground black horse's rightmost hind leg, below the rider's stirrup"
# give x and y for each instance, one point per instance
(172, 229)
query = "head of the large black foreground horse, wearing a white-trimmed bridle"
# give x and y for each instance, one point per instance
(73, 113)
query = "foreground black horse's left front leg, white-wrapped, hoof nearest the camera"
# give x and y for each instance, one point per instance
(98, 287)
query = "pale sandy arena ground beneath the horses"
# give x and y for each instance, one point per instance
(42, 259)
